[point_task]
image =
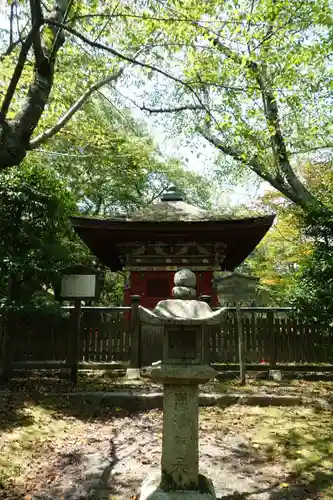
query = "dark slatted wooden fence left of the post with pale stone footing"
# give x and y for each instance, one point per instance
(104, 337)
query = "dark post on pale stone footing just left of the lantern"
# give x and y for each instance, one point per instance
(135, 353)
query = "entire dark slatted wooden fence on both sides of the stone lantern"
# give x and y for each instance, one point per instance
(271, 335)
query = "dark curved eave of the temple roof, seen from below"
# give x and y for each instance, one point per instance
(240, 235)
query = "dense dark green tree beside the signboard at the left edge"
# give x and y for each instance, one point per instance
(35, 237)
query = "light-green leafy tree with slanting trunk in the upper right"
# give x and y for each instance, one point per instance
(253, 78)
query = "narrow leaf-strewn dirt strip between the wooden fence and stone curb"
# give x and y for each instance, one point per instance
(111, 380)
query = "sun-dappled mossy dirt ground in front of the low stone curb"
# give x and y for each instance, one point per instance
(55, 449)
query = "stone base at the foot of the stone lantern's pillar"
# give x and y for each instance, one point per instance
(151, 490)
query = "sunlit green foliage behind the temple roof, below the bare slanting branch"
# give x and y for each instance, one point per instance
(119, 168)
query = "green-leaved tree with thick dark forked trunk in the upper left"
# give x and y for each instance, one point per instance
(47, 74)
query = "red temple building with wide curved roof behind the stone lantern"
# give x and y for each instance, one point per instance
(155, 242)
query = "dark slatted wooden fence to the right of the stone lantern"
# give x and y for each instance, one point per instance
(270, 335)
